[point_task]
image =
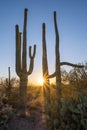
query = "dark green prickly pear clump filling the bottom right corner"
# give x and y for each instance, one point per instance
(70, 115)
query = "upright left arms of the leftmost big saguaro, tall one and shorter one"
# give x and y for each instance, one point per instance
(18, 51)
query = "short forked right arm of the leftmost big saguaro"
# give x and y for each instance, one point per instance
(31, 59)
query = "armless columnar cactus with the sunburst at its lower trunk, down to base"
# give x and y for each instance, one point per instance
(46, 85)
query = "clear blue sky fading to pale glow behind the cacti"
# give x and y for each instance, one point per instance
(72, 26)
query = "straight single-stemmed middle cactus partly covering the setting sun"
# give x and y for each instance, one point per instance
(46, 83)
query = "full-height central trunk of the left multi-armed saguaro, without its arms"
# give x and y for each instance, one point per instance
(24, 77)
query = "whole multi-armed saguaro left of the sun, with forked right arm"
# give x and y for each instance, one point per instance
(21, 64)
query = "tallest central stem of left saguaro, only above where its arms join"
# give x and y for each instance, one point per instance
(24, 65)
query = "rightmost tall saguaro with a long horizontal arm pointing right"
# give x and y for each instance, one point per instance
(57, 72)
